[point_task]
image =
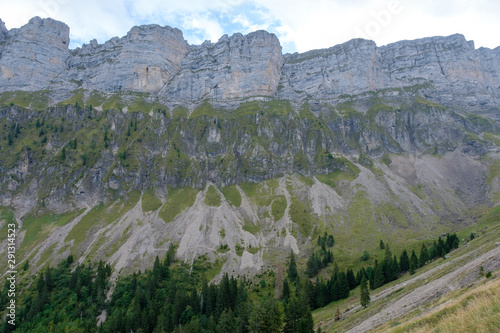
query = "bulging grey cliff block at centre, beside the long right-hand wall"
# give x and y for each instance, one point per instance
(235, 67)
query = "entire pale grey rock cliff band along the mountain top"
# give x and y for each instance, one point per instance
(157, 60)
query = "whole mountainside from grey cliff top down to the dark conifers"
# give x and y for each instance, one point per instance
(236, 153)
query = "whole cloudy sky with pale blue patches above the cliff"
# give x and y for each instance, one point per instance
(301, 25)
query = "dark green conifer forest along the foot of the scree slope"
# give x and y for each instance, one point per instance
(166, 298)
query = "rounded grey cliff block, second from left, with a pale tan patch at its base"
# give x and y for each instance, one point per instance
(144, 60)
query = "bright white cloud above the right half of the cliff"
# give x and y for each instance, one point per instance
(320, 23)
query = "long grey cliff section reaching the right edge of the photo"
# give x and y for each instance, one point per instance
(448, 70)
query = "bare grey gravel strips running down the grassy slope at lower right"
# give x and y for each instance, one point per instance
(465, 275)
